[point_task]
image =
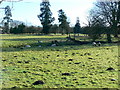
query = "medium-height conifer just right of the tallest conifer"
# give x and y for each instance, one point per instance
(64, 25)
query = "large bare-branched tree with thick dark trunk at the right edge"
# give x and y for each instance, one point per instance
(108, 12)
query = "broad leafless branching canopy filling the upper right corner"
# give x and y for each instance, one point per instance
(105, 14)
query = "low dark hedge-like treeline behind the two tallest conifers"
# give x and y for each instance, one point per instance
(55, 29)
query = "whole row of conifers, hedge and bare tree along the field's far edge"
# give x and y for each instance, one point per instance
(104, 18)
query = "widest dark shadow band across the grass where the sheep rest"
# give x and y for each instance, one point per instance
(47, 47)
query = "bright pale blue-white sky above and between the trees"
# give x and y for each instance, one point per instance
(27, 10)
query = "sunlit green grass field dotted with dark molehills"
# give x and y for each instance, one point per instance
(65, 66)
